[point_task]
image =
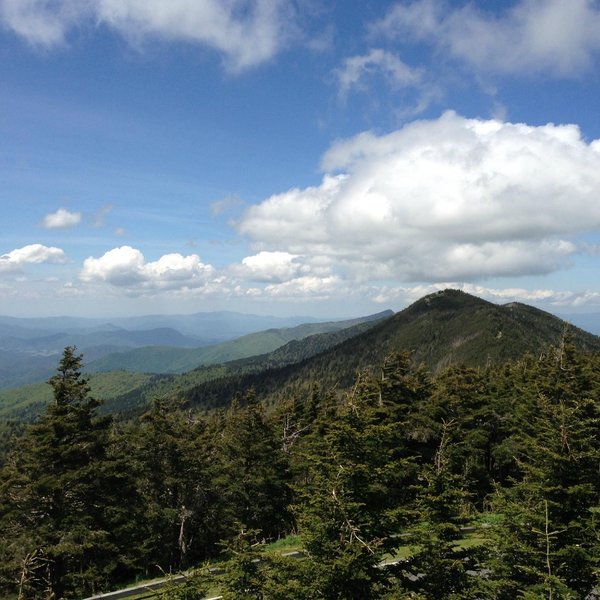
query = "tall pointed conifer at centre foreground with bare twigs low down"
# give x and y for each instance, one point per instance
(352, 501)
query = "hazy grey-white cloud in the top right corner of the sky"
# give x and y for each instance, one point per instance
(532, 36)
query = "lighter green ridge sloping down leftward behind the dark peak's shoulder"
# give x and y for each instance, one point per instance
(160, 359)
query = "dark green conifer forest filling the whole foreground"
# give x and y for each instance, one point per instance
(460, 484)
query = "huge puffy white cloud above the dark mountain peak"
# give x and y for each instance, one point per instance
(451, 198)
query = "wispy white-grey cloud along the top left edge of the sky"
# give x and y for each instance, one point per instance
(245, 32)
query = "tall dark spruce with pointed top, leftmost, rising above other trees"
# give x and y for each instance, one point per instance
(64, 498)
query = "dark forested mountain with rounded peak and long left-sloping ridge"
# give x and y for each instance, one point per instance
(446, 328)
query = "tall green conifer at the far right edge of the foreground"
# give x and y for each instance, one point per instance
(546, 543)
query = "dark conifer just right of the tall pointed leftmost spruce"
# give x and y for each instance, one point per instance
(168, 452)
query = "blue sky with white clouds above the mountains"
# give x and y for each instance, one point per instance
(297, 157)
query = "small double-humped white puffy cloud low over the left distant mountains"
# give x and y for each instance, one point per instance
(126, 267)
